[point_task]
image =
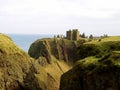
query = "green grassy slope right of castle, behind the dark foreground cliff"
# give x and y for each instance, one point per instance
(98, 48)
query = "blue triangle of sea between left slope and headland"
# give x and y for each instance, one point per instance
(24, 41)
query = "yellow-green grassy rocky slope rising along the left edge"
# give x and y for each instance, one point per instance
(15, 66)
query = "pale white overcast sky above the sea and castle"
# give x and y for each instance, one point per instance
(56, 16)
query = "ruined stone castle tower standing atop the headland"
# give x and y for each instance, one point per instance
(73, 34)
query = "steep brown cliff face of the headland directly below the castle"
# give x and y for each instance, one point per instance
(61, 49)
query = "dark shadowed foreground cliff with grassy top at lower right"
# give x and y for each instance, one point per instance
(94, 74)
